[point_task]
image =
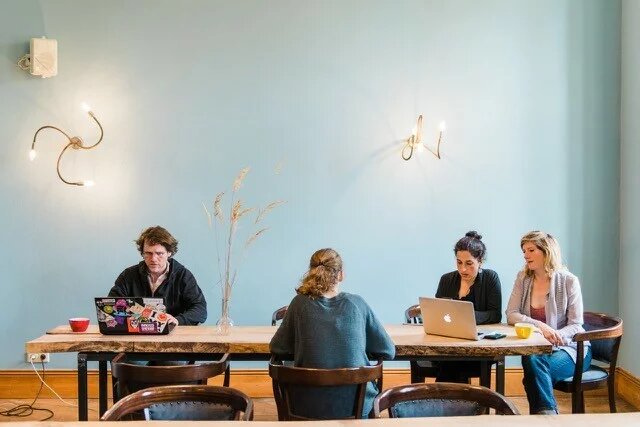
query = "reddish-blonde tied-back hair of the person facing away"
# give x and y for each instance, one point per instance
(325, 267)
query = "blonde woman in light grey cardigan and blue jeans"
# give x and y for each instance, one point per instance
(548, 296)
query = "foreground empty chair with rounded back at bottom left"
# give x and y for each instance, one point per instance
(184, 402)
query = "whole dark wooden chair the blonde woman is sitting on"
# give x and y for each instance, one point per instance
(605, 334)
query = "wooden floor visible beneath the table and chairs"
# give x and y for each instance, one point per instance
(265, 409)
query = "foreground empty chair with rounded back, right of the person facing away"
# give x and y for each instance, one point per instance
(441, 400)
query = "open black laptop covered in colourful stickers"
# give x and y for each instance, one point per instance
(132, 316)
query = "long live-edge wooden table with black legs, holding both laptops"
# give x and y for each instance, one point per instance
(252, 343)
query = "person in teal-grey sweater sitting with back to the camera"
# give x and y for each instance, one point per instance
(327, 328)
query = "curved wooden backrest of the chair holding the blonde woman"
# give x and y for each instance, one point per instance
(605, 333)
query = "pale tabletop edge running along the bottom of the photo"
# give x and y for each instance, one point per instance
(583, 420)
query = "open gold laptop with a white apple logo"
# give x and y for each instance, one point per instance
(449, 318)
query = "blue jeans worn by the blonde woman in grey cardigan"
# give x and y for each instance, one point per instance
(542, 371)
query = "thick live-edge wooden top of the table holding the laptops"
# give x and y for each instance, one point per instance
(410, 340)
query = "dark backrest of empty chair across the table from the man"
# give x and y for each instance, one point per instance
(131, 377)
